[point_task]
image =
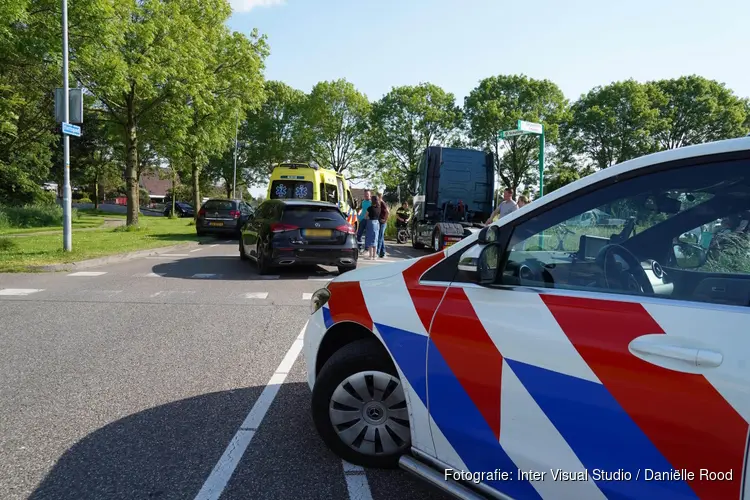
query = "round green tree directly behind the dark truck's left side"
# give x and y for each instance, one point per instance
(406, 121)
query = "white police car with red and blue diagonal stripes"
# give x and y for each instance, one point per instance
(541, 359)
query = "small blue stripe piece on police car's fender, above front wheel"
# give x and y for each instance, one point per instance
(410, 353)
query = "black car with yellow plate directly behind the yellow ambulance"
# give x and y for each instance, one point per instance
(285, 233)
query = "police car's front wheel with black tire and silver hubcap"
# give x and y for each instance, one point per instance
(359, 406)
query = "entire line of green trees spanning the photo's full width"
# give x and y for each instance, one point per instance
(168, 85)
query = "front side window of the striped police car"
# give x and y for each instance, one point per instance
(607, 240)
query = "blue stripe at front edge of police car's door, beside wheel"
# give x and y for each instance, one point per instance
(467, 431)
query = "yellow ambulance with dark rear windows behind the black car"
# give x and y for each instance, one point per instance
(308, 181)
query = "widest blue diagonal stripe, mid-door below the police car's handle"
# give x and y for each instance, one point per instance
(600, 433)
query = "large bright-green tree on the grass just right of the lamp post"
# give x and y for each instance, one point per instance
(155, 54)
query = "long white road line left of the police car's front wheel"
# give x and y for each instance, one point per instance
(224, 468)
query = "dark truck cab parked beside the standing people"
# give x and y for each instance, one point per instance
(454, 190)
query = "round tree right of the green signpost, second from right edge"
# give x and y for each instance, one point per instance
(612, 124)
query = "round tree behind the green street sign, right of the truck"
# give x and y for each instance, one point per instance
(497, 104)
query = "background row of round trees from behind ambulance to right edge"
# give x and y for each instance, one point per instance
(383, 141)
